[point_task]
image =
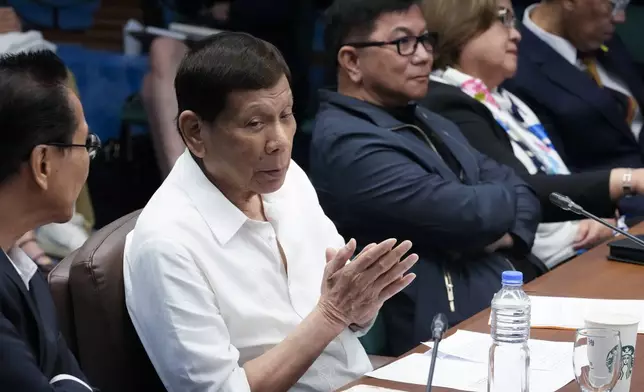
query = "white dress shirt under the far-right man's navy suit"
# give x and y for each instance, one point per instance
(569, 53)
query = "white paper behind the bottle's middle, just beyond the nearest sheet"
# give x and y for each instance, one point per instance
(544, 355)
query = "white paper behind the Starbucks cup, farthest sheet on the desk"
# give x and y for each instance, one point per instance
(569, 313)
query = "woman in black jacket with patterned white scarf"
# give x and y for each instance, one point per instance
(478, 52)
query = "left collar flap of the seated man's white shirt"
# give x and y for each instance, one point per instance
(222, 216)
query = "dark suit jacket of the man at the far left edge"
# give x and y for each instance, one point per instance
(32, 349)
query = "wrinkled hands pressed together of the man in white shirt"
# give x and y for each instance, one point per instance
(352, 293)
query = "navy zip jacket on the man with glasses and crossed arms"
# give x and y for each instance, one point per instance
(377, 179)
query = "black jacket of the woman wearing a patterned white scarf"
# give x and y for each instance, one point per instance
(589, 189)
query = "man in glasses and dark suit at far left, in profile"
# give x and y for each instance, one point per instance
(45, 149)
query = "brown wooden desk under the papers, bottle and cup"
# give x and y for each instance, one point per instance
(590, 275)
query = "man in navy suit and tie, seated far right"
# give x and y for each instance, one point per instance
(573, 70)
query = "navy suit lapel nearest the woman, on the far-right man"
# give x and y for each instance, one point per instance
(570, 78)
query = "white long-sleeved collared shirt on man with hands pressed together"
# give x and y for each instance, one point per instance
(207, 291)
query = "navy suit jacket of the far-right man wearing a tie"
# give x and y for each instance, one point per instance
(587, 118)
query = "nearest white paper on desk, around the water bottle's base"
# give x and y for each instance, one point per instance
(460, 374)
